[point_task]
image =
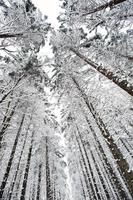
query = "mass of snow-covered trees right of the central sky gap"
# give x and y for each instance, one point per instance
(93, 40)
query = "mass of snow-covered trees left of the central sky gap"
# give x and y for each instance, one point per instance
(27, 123)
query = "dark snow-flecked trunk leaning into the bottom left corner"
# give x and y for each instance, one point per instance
(6, 175)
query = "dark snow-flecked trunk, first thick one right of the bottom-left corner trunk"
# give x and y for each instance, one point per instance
(25, 179)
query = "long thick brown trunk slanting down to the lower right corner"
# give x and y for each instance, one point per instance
(121, 162)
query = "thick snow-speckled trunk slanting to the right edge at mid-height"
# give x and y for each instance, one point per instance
(123, 83)
